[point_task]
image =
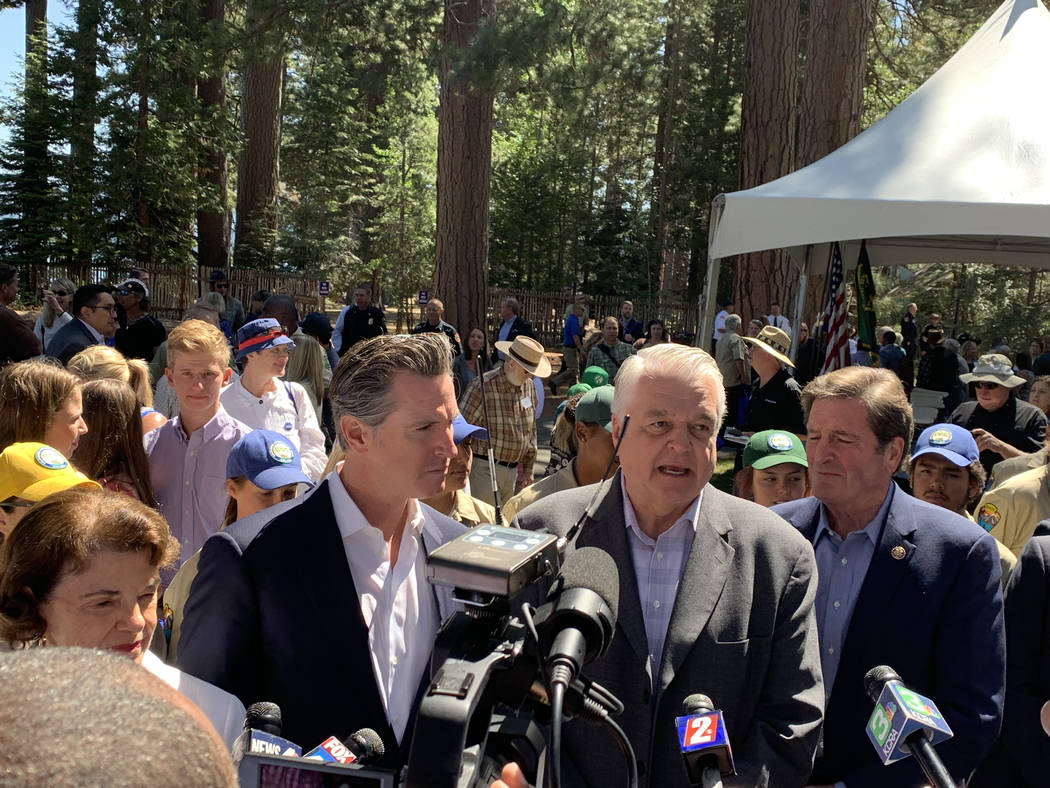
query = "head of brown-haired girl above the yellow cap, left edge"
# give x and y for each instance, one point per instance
(40, 402)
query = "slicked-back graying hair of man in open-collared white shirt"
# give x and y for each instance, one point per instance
(362, 383)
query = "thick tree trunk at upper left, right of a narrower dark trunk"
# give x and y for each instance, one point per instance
(259, 167)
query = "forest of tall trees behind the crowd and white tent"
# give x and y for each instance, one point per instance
(544, 146)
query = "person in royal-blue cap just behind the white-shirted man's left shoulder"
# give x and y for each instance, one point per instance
(263, 470)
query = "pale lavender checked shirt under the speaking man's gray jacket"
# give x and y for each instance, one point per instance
(659, 565)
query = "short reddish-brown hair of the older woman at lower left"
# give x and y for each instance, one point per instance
(59, 536)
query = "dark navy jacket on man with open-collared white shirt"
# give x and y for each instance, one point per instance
(274, 615)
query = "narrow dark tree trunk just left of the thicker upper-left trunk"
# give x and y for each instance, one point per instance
(214, 221)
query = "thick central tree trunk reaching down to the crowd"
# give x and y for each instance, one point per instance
(465, 171)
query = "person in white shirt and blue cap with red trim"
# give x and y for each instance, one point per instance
(264, 402)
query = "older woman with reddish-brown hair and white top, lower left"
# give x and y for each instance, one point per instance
(82, 569)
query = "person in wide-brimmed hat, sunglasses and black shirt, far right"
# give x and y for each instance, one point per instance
(1003, 425)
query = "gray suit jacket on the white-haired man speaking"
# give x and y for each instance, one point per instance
(743, 632)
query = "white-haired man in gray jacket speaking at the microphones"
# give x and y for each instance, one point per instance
(716, 594)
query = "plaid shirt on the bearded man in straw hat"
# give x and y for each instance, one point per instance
(514, 424)
